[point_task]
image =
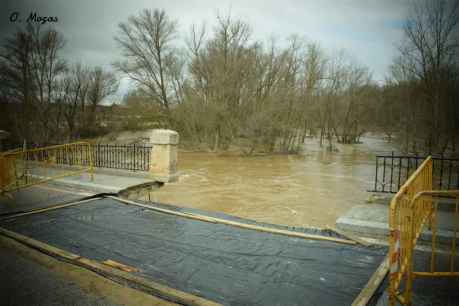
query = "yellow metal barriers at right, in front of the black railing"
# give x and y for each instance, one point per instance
(410, 210)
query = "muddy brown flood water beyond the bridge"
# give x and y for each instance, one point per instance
(311, 189)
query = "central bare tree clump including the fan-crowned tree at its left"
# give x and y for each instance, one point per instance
(227, 88)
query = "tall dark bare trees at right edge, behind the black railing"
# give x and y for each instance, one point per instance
(422, 94)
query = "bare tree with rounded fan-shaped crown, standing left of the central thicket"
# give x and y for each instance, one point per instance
(145, 41)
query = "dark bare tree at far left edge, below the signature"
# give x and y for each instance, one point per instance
(30, 63)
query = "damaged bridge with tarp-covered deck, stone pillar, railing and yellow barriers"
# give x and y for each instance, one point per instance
(66, 203)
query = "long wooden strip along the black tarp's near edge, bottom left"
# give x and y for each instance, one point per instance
(119, 276)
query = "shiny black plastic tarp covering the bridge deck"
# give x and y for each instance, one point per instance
(219, 262)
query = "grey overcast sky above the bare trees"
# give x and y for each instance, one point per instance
(367, 29)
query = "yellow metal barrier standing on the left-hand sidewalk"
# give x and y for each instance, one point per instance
(21, 169)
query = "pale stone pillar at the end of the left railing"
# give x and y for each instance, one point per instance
(163, 159)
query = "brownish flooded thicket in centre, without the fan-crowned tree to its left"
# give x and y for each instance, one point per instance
(265, 97)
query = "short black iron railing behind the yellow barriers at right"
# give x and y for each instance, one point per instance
(392, 170)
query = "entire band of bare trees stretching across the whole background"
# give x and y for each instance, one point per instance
(220, 86)
